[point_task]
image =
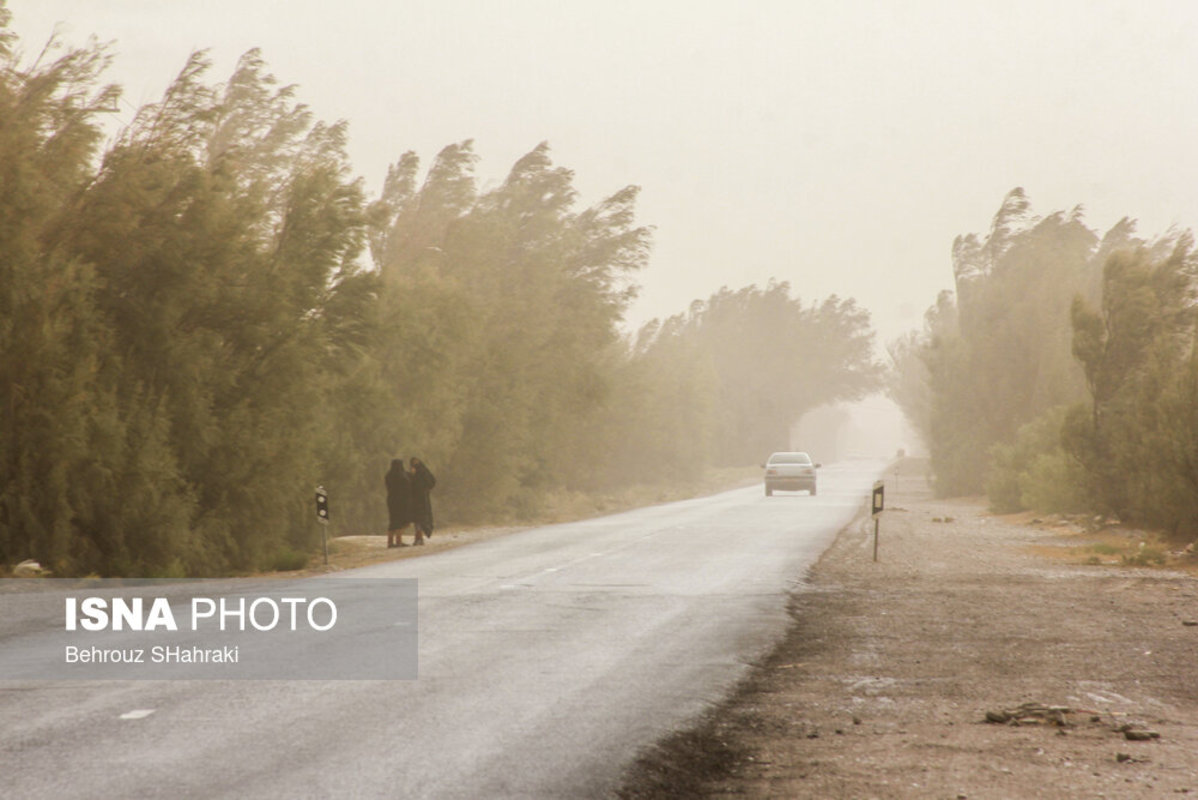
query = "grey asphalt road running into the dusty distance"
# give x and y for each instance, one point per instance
(547, 660)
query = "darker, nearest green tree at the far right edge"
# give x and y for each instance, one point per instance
(1138, 441)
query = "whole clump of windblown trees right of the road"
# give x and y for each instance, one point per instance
(989, 377)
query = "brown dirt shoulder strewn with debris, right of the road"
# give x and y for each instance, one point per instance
(884, 686)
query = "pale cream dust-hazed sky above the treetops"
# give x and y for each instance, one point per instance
(840, 146)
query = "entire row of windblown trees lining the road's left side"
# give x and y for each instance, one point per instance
(191, 341)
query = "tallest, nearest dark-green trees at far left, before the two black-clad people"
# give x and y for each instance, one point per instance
(168, 319)
